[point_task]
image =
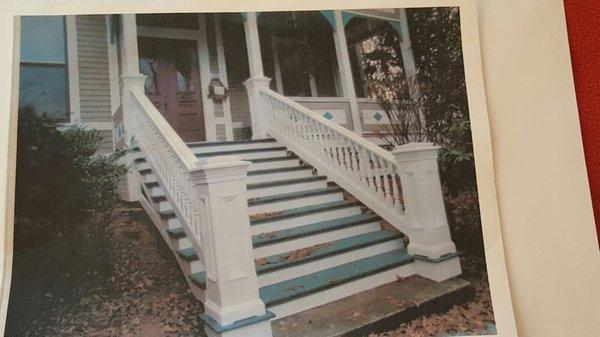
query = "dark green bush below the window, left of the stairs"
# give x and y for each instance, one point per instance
(60, 177)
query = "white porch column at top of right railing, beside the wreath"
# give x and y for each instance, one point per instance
(257, 80)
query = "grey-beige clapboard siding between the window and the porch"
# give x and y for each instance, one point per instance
(94, 78)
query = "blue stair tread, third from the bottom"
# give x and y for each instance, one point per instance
(263, 239)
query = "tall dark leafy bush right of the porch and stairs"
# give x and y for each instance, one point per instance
(441, 95)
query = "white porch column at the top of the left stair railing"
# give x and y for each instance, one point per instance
(130, 78)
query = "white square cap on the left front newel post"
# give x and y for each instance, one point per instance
(219, 169)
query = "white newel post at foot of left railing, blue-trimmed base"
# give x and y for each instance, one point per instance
(232, 306)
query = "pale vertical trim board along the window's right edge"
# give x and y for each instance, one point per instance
(73, 69)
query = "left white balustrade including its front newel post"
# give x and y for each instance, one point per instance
(209, 198)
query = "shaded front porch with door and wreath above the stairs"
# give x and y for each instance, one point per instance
(316, 58)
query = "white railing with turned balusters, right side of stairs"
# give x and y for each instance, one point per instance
(362, 168)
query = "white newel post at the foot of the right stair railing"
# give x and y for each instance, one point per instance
(430, 243)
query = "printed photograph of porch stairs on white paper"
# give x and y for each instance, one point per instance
(252, 174)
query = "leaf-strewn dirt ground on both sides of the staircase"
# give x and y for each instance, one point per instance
(115, 276)
